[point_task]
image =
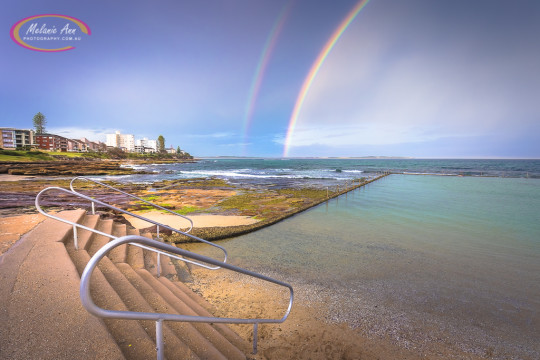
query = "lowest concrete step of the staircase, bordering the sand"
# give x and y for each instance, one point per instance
(210, 333)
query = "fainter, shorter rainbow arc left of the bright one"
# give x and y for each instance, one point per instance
(261, 67)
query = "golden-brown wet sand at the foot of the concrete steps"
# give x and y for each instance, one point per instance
(307, 333)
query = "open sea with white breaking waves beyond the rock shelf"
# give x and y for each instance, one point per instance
(325, 172)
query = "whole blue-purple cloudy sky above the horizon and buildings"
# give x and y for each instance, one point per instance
(412, 78)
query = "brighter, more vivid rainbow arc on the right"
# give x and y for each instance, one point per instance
(315, 69)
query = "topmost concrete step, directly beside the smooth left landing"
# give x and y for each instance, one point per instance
(130, 336)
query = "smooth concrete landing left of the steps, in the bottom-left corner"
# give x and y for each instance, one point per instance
(40, 311)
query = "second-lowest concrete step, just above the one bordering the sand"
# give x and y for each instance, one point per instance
(196, 342)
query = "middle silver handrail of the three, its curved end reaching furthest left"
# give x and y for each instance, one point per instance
(76, 225)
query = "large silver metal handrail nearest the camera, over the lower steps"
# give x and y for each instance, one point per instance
(92, 308)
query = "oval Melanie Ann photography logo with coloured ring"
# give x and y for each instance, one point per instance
(49, 32)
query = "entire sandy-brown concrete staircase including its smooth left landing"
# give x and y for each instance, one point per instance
(43, 318)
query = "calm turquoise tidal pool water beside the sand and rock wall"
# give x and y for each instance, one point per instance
(423, 260)
